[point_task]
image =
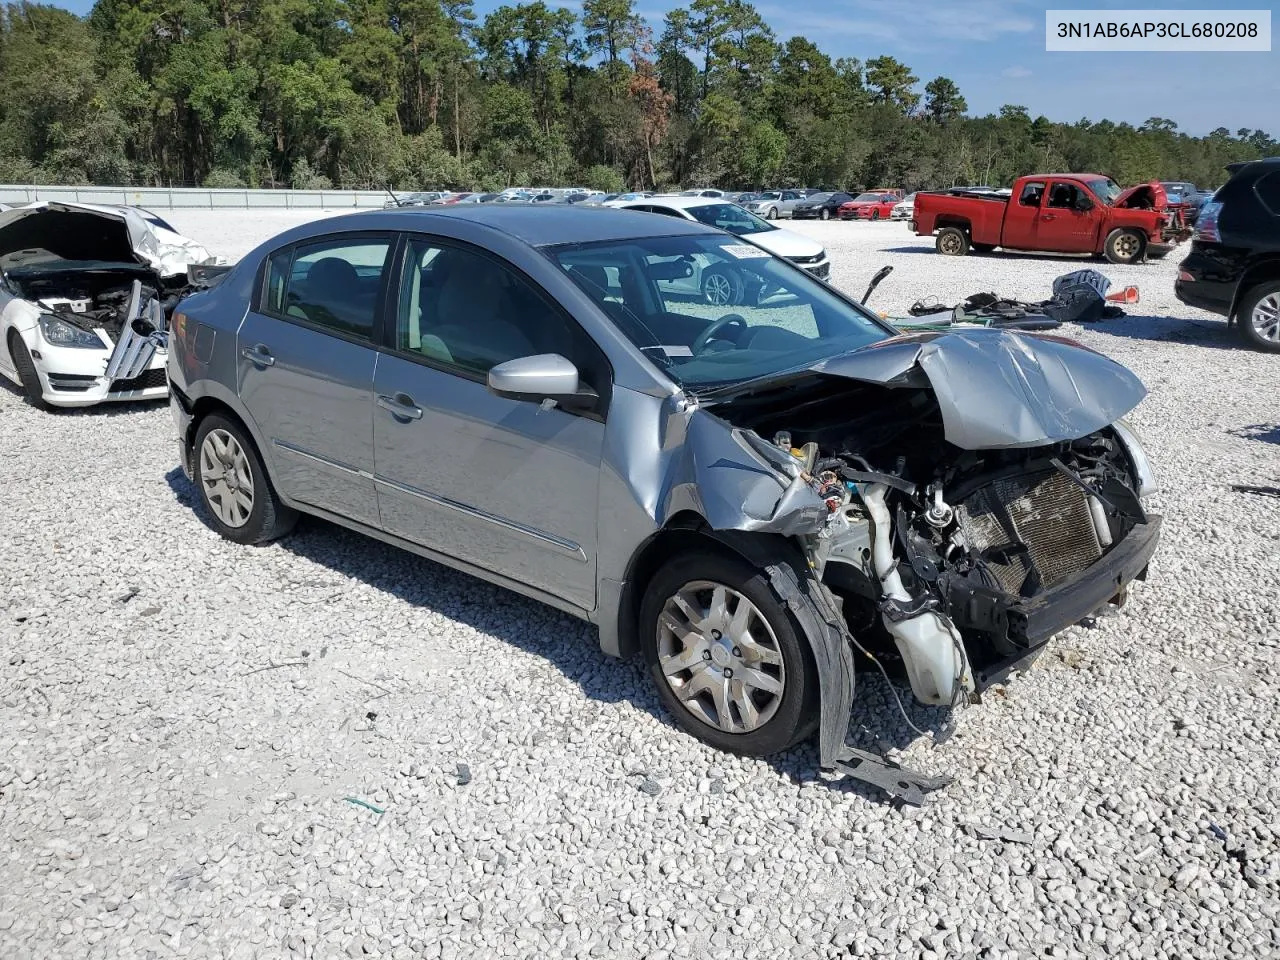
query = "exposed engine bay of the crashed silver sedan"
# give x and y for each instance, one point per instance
(964, 559)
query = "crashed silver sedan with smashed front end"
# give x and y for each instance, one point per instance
(747, 499)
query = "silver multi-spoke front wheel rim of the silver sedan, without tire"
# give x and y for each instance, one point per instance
(720, 657)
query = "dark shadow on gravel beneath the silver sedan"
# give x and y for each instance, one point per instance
(569, 644)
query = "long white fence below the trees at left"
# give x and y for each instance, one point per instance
(198, 198)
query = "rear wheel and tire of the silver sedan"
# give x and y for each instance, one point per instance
(232, 449)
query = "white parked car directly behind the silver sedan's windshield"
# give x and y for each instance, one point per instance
(729, 287)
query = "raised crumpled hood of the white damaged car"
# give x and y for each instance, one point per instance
(94, 232)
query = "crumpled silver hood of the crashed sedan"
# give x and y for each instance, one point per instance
(1000, 390)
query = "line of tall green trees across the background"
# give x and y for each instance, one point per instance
(423, 94)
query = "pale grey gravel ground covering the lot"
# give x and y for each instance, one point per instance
(196, 733)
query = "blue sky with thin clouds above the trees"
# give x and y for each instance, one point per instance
(995, 52)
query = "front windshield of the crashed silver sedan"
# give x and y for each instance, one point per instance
(715, 313)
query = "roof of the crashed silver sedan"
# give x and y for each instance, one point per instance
(538, 227)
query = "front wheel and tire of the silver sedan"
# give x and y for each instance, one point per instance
(779, 659)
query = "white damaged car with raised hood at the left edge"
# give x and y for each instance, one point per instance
(85, 291)
